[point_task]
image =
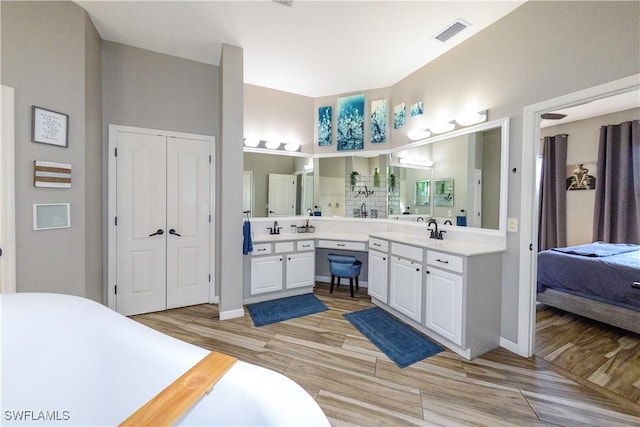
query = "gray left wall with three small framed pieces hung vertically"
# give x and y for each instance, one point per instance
(50, 55)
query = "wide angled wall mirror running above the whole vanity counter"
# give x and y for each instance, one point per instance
(459, 174)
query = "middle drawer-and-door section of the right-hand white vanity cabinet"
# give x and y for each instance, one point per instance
(405, 286)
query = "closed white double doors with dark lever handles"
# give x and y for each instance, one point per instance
(163, 220)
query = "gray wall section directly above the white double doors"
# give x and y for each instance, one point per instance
(152, 90)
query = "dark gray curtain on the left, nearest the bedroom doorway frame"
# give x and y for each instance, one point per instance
(553, 193)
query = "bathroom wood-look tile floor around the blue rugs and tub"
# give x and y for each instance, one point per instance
(356, 384)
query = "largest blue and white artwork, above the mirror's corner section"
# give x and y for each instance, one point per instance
(350, 123)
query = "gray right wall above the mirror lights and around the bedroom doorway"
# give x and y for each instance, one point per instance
(540, 51)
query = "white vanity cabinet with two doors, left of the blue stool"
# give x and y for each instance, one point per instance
(279, 269)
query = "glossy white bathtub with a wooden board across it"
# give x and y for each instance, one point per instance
(69, 361)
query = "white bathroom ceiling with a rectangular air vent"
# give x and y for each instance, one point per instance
(313, 48)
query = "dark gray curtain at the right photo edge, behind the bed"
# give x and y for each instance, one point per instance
(617, 208)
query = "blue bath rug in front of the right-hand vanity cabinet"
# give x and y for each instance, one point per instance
(399, 341)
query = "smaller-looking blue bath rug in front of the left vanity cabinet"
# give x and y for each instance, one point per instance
(267, 312)
